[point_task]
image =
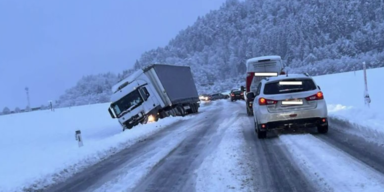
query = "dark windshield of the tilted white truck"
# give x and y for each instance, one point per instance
(127, 103)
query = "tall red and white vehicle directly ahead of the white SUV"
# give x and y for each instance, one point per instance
(257, 69)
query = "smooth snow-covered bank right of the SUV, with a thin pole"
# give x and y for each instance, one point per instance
(344, 95)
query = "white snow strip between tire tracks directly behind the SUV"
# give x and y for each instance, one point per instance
(330, 168)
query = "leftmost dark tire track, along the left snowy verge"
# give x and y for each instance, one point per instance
(111, 167)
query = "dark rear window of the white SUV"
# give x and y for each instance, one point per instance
(275, 87)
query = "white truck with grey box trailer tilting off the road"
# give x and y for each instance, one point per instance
(157, 91)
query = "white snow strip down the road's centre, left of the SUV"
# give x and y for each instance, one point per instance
(224, 170)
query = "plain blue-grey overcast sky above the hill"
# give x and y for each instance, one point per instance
(49, 45)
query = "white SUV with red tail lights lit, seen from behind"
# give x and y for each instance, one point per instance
(281, 102)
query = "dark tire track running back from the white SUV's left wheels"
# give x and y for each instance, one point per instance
(272, 169)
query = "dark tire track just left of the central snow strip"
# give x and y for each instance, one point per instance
(176, 171)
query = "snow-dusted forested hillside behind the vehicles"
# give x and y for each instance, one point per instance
(315, 36)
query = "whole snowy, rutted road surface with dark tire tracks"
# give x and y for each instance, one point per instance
(218, 150)
